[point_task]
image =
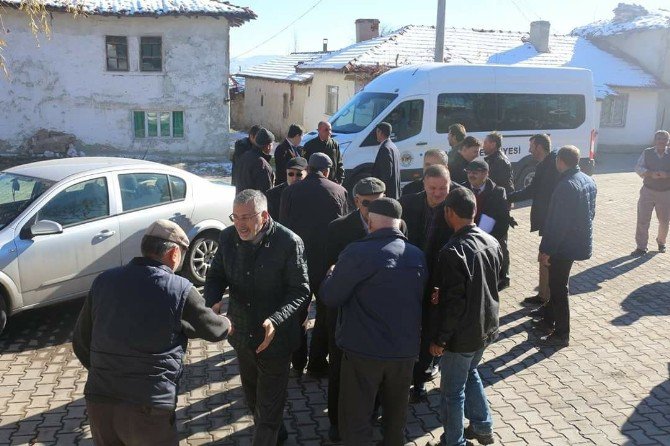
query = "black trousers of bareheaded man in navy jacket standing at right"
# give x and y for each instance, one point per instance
(558, 310)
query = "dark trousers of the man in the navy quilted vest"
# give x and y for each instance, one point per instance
(114, 424)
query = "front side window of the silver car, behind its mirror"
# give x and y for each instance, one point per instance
(82, 202)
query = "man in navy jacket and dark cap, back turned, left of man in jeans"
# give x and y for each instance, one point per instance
(377, 284)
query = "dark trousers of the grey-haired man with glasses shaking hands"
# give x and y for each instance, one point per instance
(264, 382)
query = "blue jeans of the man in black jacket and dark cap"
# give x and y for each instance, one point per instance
(462, 393)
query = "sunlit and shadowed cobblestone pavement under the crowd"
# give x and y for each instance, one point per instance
(609, 387)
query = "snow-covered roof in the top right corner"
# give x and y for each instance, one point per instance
(627, 18)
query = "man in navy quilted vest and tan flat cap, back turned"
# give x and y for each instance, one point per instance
(132, 334)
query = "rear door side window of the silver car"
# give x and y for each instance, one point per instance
(141, 190)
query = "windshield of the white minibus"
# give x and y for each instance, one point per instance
(360, 111)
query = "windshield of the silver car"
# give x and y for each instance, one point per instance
(16, 194)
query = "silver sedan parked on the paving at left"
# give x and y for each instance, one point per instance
(64, 221)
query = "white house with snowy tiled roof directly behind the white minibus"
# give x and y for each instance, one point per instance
(335, 77)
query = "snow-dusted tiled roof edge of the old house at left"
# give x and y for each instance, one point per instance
(236, 15)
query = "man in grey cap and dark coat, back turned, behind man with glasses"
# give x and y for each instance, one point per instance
(307, 207)
